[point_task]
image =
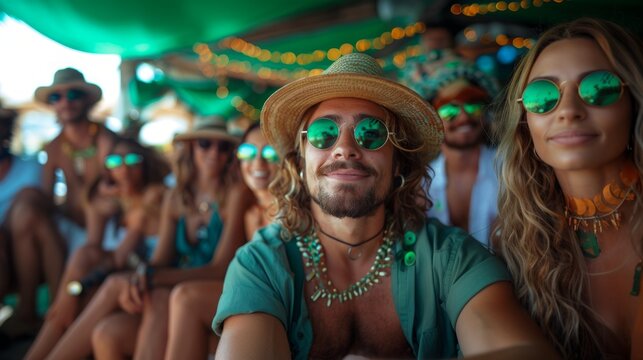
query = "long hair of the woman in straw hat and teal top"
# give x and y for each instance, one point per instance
(186, 174)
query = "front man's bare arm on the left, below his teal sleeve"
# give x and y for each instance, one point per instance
(253, 336)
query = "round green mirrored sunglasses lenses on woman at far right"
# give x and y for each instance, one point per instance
(598, 88)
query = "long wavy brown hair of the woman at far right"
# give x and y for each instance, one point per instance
(540, 250)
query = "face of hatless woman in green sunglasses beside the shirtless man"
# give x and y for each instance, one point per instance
(125, 166)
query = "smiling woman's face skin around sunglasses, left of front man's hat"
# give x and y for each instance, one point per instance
(257, 172)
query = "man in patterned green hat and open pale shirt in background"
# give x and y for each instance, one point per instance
(464, 188)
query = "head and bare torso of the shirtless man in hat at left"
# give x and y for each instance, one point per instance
(81, 145)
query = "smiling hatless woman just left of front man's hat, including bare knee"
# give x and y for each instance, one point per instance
(193, 304)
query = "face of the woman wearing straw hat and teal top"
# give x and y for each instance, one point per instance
(211, 156)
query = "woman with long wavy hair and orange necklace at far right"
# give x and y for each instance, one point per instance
(570, 220)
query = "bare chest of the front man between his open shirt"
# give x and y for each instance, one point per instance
(368, 326)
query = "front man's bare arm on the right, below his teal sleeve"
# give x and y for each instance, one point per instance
(493, 325)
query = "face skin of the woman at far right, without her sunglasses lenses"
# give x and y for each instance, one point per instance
(575, 135)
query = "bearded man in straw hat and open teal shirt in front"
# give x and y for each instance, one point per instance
(352, 266)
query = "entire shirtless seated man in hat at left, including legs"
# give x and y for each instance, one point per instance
(78, 152)
